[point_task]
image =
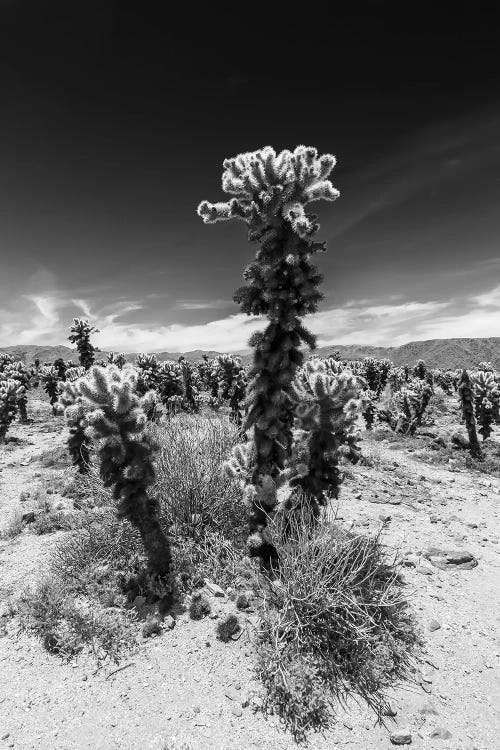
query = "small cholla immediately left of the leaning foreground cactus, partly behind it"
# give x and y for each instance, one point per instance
(72, 404)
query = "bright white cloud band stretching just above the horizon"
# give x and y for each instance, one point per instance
(385, 322)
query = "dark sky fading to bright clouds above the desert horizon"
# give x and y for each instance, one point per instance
(115, 118)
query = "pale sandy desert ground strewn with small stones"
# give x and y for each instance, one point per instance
(187, 684)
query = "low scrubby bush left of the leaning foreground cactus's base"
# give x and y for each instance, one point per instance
(83, 602)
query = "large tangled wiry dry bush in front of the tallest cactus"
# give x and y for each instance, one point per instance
(335, 621)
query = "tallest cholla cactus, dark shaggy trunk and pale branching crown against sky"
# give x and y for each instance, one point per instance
(270, 193)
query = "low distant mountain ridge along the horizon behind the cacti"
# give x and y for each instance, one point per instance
(444, 353)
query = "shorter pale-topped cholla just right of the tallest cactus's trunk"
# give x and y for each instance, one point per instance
(327, 406)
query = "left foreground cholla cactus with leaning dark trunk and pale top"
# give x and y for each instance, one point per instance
(116, 422)
